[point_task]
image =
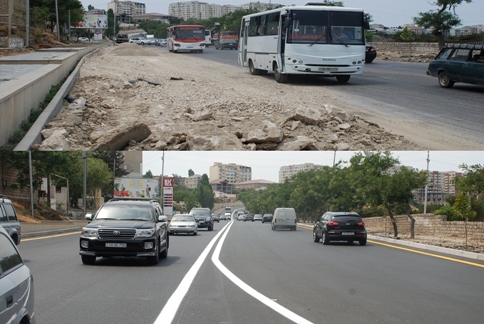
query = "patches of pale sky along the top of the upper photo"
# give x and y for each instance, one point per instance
(390, 13)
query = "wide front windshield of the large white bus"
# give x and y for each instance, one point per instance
(326, 27)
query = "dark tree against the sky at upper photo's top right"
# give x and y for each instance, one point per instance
(442, 19)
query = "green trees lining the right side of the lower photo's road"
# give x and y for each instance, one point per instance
(371, 185)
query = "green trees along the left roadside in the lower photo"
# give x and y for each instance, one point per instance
(102, 167)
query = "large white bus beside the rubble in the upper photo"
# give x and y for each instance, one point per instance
(304, 40)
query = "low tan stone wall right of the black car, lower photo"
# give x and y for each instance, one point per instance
(427, 225)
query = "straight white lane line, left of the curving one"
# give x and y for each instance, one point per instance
(171, 307)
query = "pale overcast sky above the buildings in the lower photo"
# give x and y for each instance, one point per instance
(266, 165)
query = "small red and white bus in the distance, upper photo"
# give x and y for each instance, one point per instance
(186, 38)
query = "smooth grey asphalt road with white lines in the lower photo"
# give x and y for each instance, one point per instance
(247, 273)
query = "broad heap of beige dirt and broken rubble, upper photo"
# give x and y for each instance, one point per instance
(137, 98)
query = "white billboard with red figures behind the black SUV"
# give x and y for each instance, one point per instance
(139, 188)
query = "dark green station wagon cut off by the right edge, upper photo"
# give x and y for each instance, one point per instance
(458, 63)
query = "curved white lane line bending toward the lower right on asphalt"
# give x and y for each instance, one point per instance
(257, 295)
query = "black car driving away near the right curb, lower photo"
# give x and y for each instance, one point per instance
(340, 226)
